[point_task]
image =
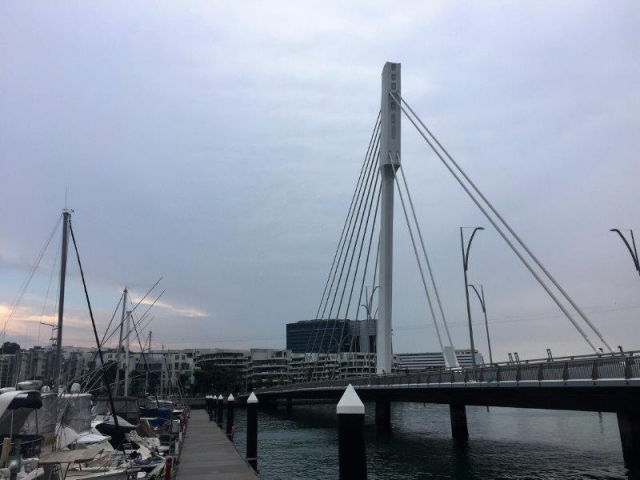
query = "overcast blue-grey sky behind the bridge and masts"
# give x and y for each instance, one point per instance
(217, 144)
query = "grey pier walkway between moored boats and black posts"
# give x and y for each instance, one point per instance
(207, 453)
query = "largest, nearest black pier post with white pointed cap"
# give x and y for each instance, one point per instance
(352, 451)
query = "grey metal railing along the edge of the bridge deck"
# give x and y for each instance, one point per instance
(617, 366)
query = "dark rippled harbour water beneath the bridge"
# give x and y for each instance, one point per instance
(504, 443)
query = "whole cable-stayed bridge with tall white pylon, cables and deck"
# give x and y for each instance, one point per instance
(360, 278)
